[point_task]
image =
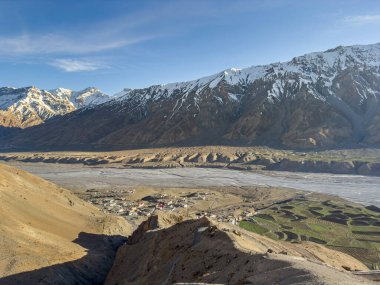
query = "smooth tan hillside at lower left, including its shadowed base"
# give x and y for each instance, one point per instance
(49, 236)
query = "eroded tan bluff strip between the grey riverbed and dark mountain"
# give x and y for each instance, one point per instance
(350, 161)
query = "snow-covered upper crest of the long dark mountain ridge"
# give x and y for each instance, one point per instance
(307, 69)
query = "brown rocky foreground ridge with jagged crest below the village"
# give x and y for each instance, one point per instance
(168, 250)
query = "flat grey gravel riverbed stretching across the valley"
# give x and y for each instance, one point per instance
(361, 189)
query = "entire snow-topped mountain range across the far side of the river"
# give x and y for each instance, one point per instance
(322, 99)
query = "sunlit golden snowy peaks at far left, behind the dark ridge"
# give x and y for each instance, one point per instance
(29, 106)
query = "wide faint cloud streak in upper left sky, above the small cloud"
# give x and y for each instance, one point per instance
(95, 37)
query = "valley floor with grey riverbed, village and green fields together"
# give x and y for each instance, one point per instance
(278, 205)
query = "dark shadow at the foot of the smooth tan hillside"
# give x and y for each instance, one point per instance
(91, 269)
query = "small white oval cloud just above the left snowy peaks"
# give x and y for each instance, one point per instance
(75, 65)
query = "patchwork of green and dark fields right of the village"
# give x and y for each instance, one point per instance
(340, 225)
